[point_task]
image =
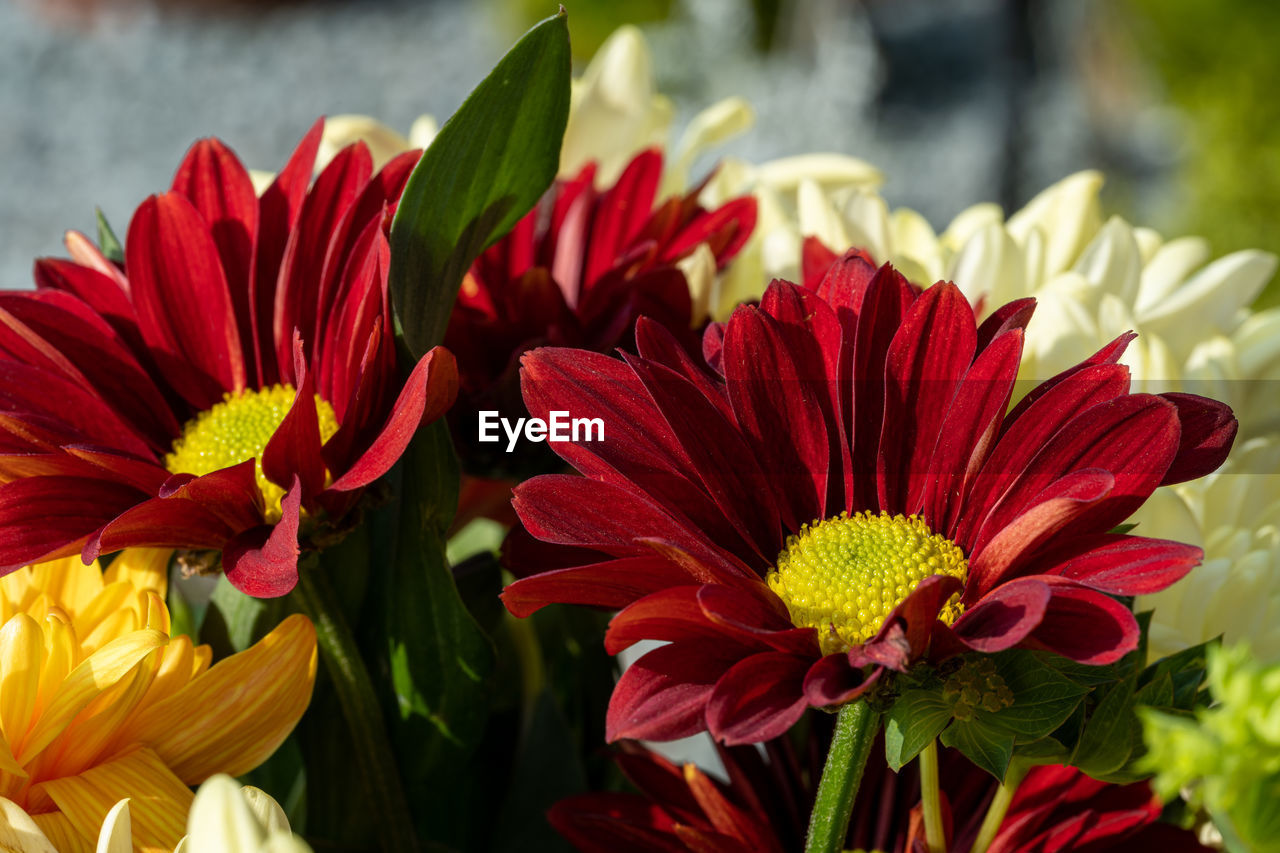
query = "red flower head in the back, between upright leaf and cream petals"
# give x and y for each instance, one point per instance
(578, 271)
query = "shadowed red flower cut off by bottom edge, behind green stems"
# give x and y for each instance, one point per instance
(764, 808)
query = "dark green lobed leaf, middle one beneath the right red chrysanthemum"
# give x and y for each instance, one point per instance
(1043, 697)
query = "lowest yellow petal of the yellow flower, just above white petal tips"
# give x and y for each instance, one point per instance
(158, 801)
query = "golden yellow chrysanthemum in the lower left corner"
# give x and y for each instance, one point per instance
(98, 703)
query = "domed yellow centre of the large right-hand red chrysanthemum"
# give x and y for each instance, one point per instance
(845, 576)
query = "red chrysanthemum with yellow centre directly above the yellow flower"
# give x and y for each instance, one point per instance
(232, 385)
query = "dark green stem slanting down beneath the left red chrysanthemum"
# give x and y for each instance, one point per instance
(369, 742)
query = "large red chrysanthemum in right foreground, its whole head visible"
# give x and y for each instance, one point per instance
(840, 491)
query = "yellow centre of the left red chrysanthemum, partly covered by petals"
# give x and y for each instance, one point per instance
(237, 430)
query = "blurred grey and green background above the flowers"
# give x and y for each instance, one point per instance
(957, 102)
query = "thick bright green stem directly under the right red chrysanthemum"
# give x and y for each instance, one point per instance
(851, 745)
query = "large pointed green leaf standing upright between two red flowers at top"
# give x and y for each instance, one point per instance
(487, 168)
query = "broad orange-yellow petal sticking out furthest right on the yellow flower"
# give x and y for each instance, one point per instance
(232, 718)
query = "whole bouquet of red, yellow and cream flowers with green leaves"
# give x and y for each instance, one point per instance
(418, 495)
